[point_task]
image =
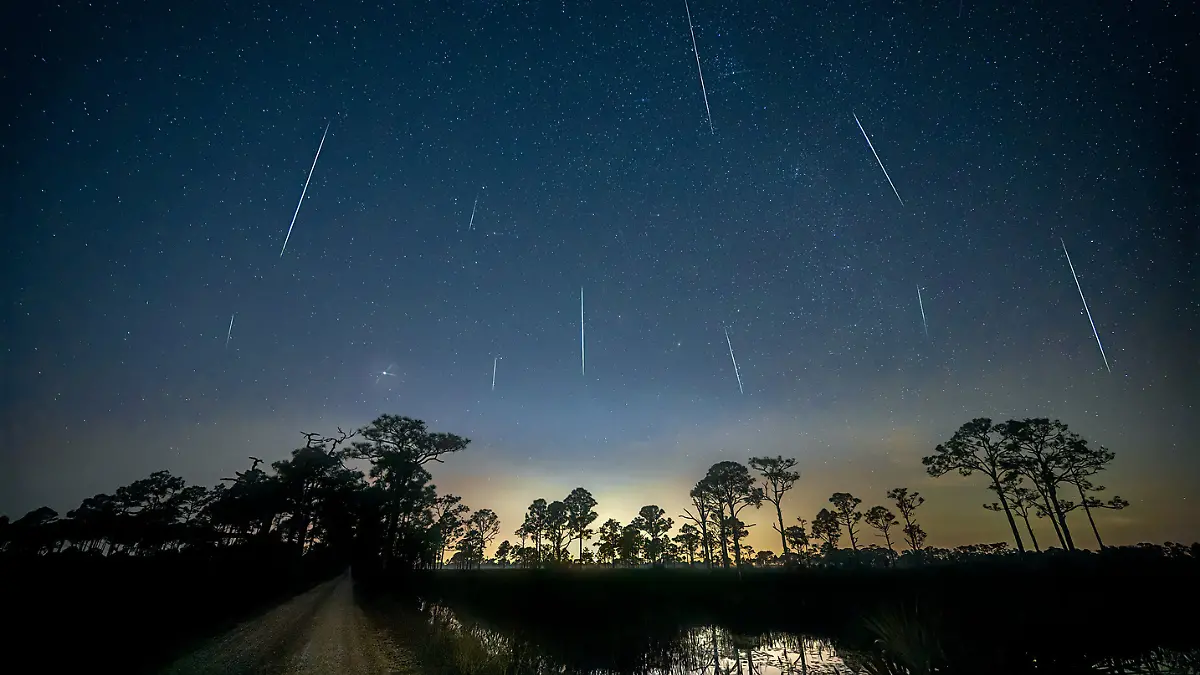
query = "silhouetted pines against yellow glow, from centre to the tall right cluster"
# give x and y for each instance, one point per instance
(1033, 467)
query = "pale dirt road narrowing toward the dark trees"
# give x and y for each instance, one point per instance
(319, 632)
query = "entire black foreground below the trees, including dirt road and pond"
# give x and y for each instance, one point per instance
(1127, 613)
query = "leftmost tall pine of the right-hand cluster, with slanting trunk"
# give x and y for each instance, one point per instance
(979, 446)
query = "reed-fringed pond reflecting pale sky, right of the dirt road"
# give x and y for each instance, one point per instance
(458, 644)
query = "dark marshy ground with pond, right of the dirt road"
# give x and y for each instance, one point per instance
(1073, 614)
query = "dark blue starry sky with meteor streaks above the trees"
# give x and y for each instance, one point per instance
(153, 157)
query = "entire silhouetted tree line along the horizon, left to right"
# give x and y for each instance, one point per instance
(392, 517)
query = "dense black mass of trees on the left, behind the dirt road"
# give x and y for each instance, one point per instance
(310, 504)
